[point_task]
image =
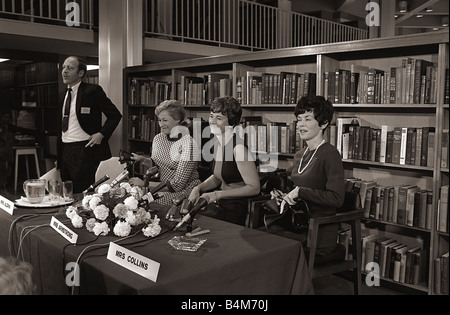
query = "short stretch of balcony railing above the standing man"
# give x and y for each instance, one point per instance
(47, 11)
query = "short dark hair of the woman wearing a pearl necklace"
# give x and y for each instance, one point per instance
(322, 109)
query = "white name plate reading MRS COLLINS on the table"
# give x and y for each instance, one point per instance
(130, 260)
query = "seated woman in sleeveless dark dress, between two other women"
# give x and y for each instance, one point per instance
(235, 176)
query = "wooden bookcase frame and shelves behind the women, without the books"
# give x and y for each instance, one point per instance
(383, 53)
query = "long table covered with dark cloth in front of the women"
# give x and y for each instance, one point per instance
(234, 260)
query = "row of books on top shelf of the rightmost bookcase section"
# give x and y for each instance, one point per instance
(412, 82)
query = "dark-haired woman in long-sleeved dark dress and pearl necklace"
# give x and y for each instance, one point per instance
(318, 173)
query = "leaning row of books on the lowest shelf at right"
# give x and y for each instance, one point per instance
(395, 260)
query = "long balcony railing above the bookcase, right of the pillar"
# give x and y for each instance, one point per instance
(241, 24)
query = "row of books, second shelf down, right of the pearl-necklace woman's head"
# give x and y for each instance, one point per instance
(387, 144)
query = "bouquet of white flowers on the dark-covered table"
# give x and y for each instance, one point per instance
(116, 209)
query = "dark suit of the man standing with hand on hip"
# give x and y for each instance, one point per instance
(91, 102)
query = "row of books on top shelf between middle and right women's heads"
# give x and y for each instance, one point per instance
(268, 88)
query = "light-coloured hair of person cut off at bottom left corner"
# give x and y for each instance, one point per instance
(15, 277)
